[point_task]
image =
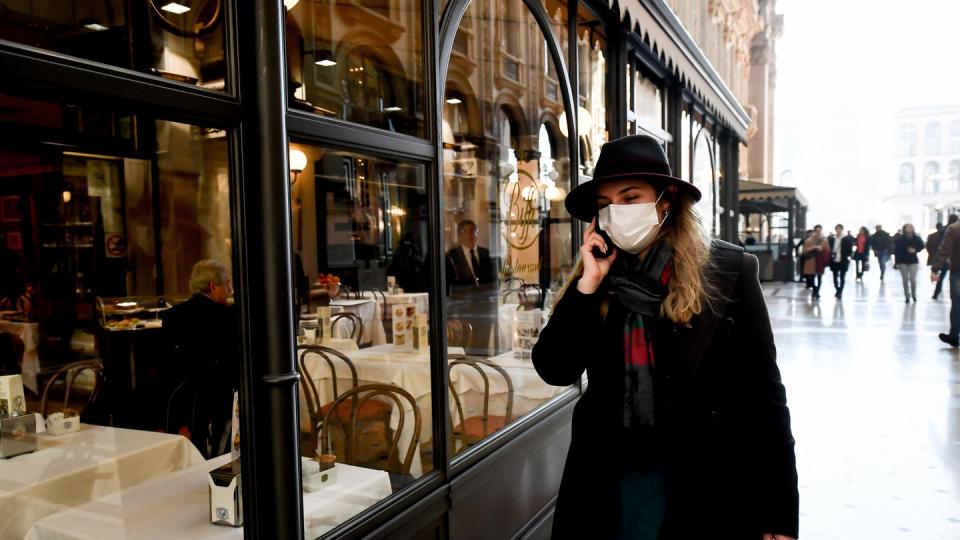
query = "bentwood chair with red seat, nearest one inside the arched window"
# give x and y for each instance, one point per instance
(475, 428)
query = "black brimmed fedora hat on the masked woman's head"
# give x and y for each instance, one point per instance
(635, 156)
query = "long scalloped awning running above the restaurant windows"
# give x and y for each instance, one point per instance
(659, 27)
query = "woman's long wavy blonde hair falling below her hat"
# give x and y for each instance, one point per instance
(689, 291)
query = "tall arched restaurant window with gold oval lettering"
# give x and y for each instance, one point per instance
(507, 238)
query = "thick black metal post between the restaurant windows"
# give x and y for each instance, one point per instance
(273, 503)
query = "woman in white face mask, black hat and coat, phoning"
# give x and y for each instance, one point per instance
(683, 431)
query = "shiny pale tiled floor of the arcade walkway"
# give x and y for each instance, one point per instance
(875, 399)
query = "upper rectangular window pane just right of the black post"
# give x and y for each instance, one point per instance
(358, 60)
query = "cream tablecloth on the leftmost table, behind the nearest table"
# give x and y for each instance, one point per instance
(70, 470)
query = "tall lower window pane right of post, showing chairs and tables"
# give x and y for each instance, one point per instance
(361, 231)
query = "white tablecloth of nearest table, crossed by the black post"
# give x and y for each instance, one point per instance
(177, 506)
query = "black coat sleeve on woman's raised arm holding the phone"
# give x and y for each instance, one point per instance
(566, 343)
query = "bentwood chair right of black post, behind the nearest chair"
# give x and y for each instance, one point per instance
(371, 410)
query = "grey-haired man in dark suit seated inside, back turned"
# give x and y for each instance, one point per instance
(203, 335)
